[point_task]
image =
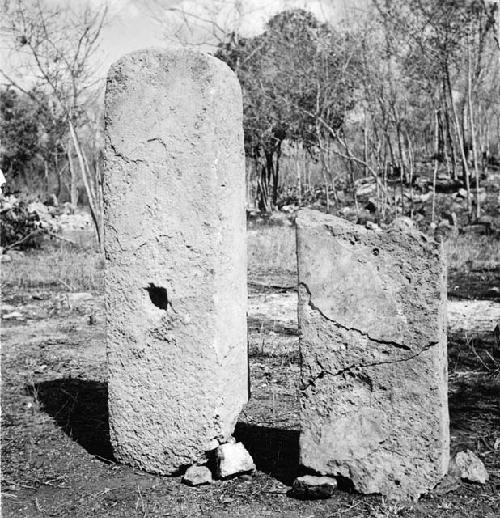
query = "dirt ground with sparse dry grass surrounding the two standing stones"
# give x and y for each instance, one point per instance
(56, 456)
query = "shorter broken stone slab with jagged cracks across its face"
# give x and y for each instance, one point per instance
(372, 317)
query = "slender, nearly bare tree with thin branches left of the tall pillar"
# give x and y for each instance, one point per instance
(54, 48)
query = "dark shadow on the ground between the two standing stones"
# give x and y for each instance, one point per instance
(275, 451)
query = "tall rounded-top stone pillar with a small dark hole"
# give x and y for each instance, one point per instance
(175, 243)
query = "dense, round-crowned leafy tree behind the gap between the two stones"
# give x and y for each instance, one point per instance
(293, 76)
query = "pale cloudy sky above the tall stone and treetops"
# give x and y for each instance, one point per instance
(138, 24)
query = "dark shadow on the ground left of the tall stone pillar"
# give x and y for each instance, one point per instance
(80, 408)
